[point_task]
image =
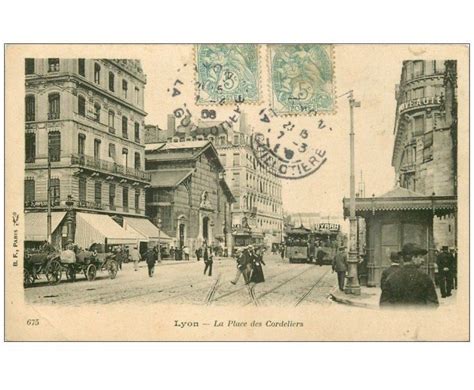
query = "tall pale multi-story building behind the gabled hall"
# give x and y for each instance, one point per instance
(257, 192)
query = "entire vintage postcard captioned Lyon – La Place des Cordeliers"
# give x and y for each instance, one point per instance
(247, 192)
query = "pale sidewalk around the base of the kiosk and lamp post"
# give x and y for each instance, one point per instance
(370, 296)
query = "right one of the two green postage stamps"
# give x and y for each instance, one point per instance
(302, 78)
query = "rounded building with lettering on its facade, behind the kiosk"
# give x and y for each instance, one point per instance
(424, 154)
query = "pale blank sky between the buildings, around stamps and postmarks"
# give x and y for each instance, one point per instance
(371, 71)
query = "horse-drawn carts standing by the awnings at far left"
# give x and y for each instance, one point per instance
(52, 263)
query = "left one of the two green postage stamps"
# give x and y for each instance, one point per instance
(227, 74)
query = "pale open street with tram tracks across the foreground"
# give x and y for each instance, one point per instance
(184, 283)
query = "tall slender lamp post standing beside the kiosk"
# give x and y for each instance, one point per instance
(352, 286)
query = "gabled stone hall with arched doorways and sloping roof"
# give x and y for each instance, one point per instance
(188, 194)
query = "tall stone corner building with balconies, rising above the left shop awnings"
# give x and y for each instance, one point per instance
(86, 118)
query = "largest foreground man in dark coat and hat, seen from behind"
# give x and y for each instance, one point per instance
(409, 285)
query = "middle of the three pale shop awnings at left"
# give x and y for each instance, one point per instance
(100, 228)
